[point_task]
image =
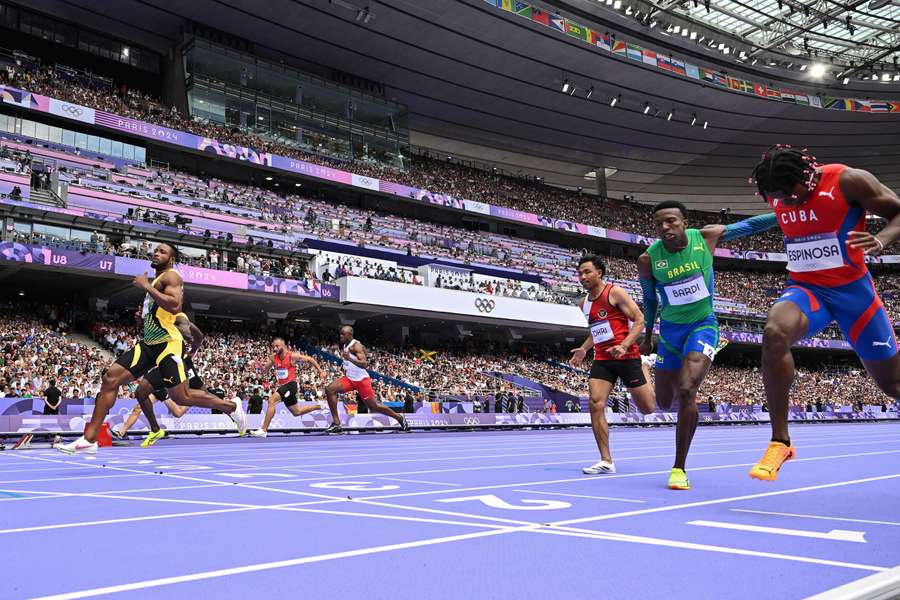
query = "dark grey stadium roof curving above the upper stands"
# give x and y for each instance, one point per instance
(486, 84)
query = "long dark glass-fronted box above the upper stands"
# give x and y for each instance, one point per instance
(292, 107)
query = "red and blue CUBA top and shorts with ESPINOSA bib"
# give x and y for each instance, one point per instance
(828, 280)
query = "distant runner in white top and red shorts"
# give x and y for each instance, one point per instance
(355, 379)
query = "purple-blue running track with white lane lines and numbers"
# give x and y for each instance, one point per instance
(440, 516)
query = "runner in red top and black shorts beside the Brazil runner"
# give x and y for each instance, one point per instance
(608, 309)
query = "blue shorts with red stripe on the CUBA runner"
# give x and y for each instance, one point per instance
(855, 307)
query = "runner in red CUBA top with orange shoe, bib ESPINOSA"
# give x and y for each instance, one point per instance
(821, 210)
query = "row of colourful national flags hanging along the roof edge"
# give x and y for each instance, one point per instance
(666, 62)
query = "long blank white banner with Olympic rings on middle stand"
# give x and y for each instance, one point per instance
(414, 297)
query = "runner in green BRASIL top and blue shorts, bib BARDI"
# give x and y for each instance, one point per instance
(678, 270)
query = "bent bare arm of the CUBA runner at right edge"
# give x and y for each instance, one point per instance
(864, 189)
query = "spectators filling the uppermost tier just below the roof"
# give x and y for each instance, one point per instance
(426, 172)
